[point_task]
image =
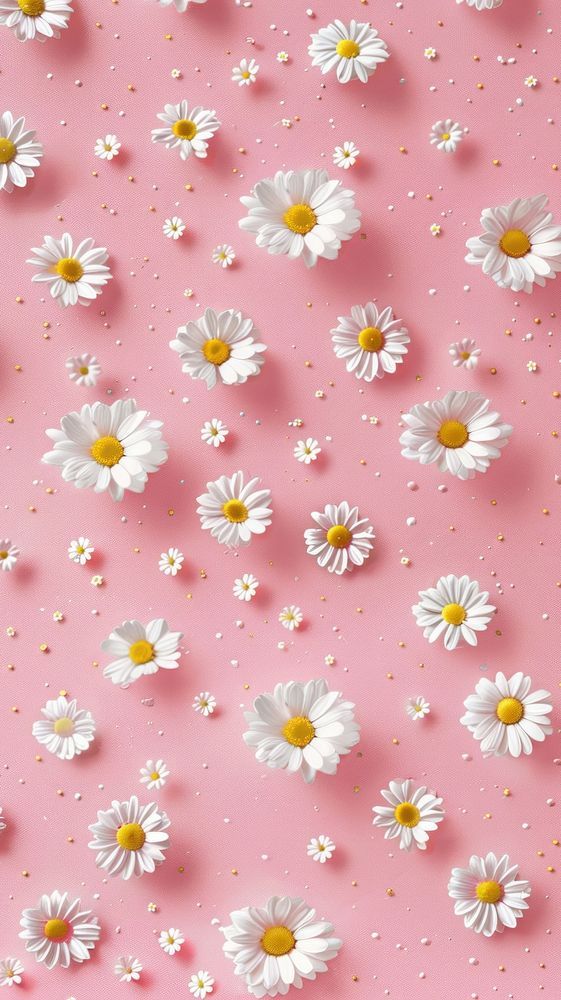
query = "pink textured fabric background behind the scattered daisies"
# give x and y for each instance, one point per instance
(227, 811)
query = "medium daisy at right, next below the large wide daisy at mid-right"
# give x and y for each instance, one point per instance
(456, 609)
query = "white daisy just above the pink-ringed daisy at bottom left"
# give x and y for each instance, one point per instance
(130, 839)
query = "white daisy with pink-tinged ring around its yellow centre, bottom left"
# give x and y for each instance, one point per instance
(58, 931)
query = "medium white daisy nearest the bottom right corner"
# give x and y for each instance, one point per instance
(488, 894)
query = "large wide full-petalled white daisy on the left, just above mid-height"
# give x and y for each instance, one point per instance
(108, 447)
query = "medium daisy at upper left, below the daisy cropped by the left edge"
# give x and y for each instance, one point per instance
(74, 276)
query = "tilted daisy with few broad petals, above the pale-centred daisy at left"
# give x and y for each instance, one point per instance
(140, 650)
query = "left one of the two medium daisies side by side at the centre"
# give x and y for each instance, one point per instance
(232, 511)
